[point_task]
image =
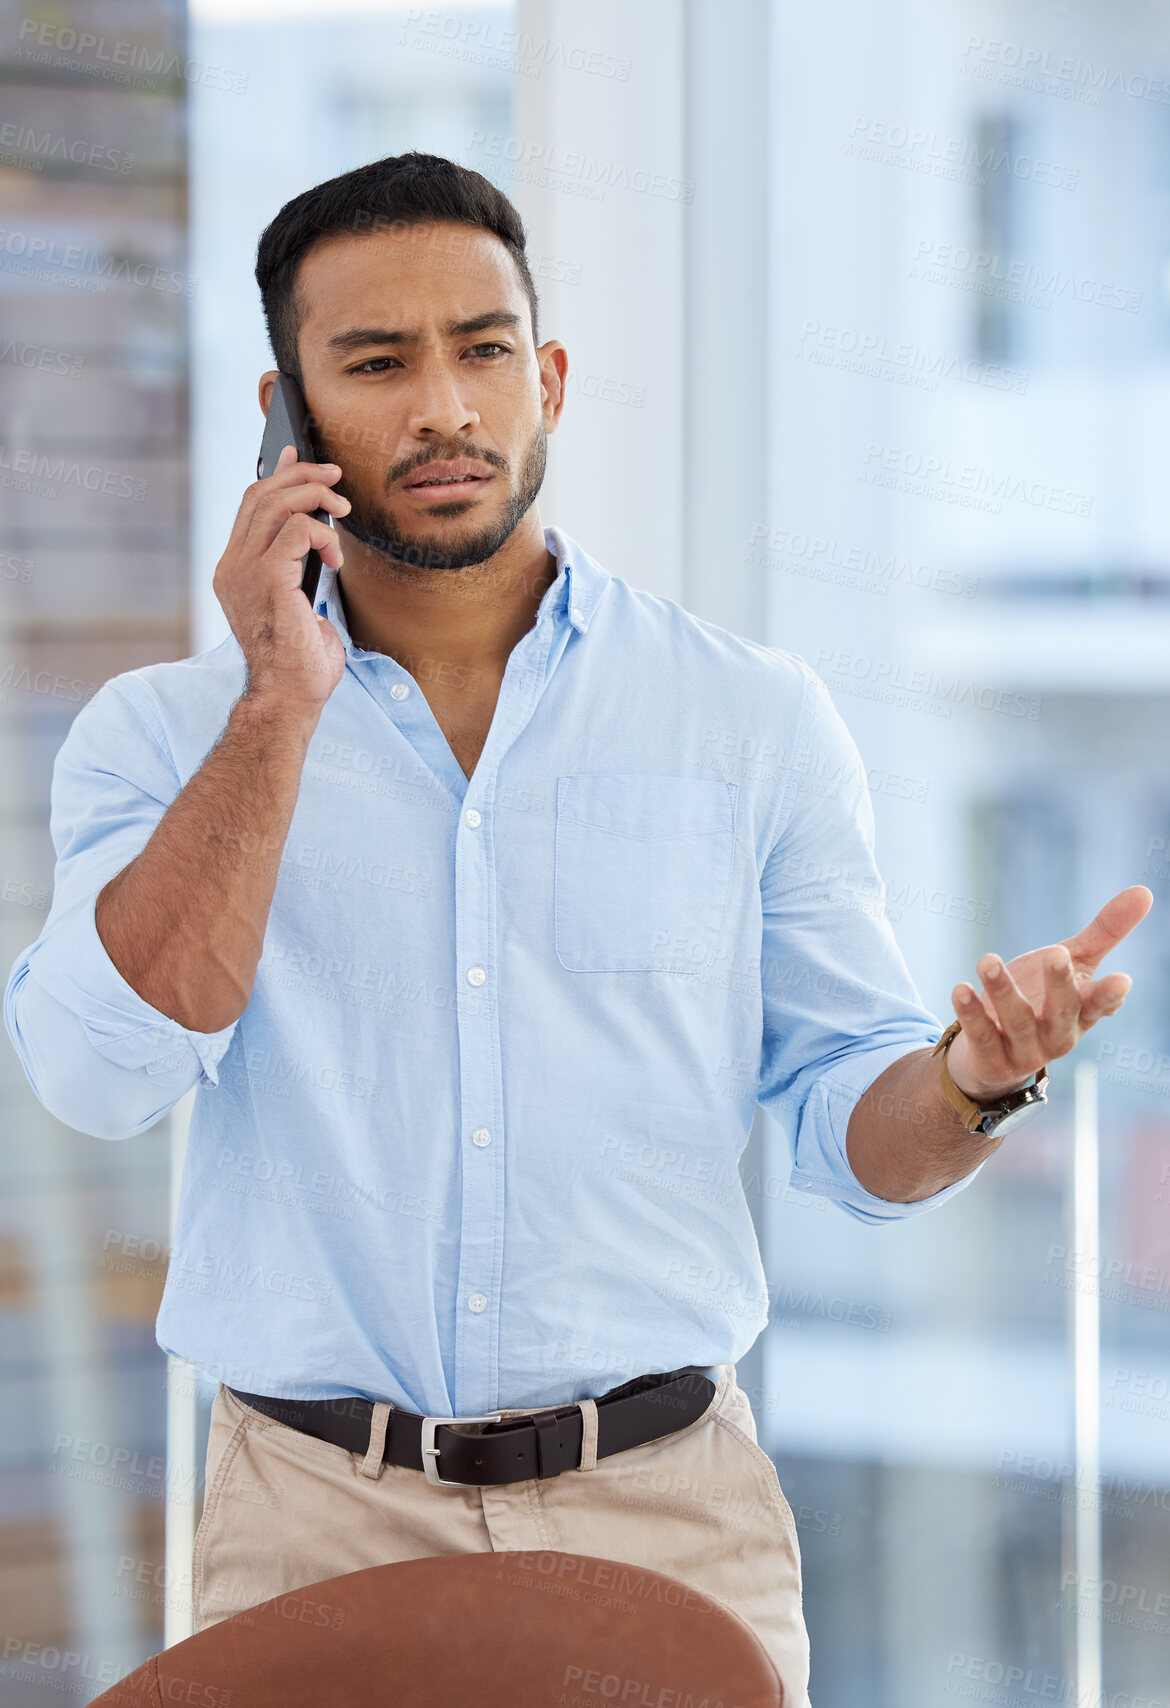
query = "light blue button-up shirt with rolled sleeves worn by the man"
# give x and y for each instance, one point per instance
(476, 1138)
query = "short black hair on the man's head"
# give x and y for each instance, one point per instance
(401, 192)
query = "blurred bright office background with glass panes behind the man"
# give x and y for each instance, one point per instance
(869, 315)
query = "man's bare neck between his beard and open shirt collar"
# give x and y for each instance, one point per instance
(467, 619)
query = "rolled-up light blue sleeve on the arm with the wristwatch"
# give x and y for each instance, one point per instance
(839, 1003)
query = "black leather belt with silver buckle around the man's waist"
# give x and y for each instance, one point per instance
(541, 1444)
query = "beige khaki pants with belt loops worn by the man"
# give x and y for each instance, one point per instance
(703, 1506)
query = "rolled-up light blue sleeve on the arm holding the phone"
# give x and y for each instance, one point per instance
(97, 1055)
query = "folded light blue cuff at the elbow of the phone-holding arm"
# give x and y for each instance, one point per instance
(74, 968)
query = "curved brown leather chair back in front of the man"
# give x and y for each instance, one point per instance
(515, 1630)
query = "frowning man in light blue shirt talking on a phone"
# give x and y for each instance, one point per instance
(481, 962)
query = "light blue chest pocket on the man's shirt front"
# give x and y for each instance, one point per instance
(643, 870)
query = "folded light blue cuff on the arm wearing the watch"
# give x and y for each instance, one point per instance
(821, 1157)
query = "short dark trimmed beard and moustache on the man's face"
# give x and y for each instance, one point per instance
(377, 529)
